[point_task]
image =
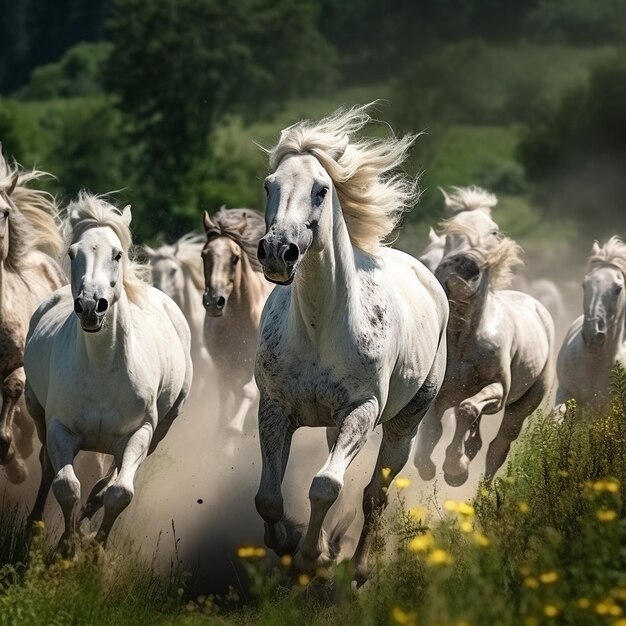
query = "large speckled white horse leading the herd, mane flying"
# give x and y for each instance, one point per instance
(355, 337)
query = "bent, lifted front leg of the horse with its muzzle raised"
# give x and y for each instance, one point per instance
(489, 399)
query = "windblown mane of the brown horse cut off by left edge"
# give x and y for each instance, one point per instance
(33, 222)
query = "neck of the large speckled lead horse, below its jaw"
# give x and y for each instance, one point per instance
(325, 286)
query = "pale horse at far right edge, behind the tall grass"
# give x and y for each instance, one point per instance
(596, 340)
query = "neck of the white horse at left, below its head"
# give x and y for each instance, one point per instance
(107, 345)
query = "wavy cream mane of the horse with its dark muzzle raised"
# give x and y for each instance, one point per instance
(503, 257)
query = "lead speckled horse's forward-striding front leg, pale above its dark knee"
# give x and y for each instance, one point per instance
(355, 424)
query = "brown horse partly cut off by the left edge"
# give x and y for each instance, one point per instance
(28, 230)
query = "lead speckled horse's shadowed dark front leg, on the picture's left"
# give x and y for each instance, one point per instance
(275, 434)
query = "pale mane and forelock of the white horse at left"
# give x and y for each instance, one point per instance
(92, 211)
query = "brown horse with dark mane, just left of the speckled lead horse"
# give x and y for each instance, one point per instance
(233, 300)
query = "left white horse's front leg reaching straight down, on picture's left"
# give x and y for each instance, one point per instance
(63, 446)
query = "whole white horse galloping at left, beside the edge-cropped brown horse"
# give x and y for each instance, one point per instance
(108, 367)
